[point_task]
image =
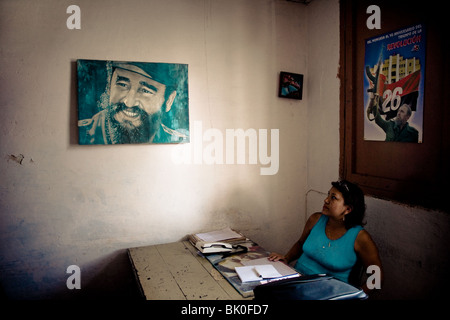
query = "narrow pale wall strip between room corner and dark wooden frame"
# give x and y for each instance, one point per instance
(323, 86)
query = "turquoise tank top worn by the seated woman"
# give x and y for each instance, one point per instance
(332, 257)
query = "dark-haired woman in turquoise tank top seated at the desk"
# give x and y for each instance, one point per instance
(334, 240)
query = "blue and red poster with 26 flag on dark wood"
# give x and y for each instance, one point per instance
(394, 85)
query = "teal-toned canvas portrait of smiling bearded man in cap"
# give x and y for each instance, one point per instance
(123, 102)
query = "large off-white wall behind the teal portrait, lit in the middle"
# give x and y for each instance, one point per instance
(65, 204)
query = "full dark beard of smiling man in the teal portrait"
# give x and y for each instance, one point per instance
(128, 133)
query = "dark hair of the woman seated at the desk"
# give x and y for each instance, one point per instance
(353, 197)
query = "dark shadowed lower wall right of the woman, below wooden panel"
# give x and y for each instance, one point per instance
(410, 241)
